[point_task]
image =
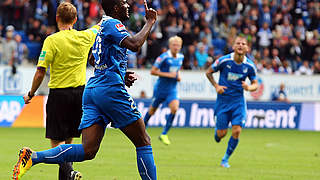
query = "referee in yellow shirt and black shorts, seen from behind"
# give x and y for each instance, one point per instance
(66, 53)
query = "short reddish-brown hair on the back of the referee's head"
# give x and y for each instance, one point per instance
(67, 12)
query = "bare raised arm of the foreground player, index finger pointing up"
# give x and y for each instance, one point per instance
(135, 42)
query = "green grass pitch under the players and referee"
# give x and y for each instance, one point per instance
(193, 155)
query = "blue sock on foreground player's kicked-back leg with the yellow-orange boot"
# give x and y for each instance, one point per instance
(60, 154)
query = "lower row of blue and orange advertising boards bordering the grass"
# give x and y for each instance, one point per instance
(192, 113)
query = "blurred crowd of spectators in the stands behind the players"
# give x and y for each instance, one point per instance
(283, 34)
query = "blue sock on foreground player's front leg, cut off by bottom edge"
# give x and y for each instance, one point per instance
(145, 161)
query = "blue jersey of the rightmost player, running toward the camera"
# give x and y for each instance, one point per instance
(232, 75)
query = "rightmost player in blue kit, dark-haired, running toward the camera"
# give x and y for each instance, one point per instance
(230, 106)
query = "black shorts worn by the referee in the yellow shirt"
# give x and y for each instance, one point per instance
(64, 112)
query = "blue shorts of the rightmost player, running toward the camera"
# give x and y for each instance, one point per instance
(230, 111)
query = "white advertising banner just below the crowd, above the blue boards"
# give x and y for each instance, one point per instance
(194, 85)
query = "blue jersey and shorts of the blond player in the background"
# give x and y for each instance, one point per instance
(167, 63)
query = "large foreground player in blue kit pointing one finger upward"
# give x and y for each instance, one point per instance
(105, 98)
